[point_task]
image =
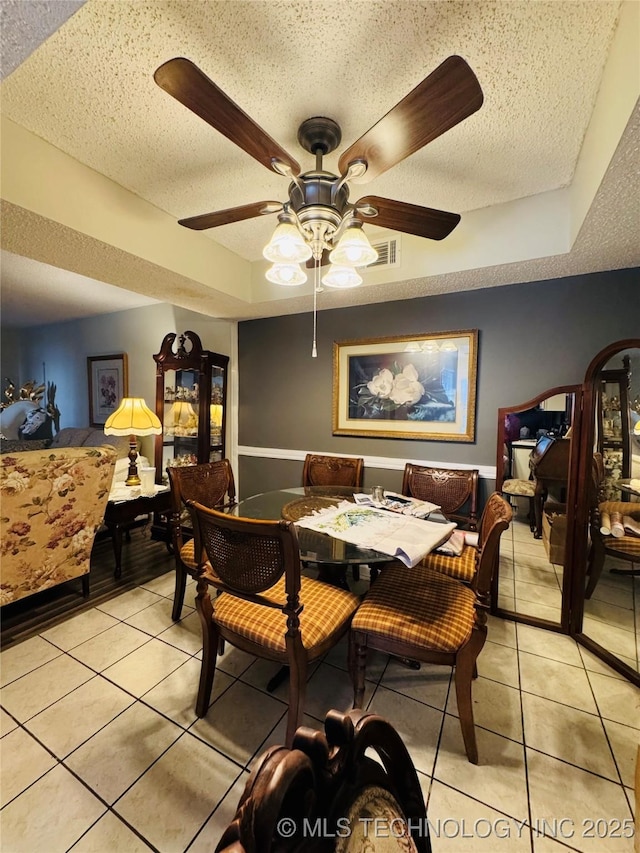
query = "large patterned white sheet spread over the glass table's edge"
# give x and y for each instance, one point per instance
(401, 536)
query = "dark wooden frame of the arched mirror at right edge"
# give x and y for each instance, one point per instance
(577, 533)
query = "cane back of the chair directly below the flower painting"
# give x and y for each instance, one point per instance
(451, 488)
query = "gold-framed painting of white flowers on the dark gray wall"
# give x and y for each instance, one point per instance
(423, 386)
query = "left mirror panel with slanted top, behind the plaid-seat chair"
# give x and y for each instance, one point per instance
(533, 462)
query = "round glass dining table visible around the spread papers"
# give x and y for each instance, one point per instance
(293, 503)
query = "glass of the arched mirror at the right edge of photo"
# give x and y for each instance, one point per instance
(611, 584)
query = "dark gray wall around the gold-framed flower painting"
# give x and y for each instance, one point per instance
(532, 336)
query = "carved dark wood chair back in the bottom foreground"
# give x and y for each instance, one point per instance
(325, 794)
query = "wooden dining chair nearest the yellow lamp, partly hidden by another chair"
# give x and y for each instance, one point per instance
(212, 484)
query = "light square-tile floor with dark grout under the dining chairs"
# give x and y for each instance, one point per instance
(102, 751)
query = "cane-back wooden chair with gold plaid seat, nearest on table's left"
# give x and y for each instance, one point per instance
(263, 605)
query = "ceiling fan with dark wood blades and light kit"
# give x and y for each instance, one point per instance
(318, 205)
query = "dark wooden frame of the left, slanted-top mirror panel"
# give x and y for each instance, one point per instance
(563, 623)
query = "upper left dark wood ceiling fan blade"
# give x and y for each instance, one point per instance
(187, 84)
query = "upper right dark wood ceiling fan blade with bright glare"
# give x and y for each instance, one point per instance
(448, 95)
